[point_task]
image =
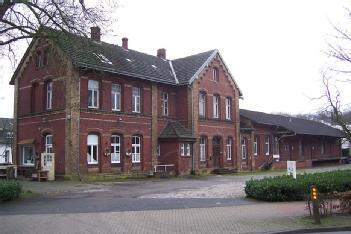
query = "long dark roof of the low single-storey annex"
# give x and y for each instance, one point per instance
(296, 125)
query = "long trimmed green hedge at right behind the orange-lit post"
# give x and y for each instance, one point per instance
(286, 188)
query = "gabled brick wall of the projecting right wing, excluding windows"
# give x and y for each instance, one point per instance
(211, 127)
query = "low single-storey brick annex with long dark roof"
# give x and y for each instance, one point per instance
(268, 139)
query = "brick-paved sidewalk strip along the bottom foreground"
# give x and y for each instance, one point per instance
(258, 218)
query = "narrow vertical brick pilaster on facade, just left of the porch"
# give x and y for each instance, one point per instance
(154, 123)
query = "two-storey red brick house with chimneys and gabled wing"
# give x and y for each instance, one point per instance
(106, 108)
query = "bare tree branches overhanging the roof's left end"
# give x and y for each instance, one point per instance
(22, 19)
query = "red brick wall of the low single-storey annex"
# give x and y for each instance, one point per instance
(304, 149)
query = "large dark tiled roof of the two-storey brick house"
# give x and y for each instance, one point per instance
(101, 56)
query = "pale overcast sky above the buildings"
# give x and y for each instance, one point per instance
(274, 48)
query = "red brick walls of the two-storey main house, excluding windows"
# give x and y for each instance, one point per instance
(70, 121)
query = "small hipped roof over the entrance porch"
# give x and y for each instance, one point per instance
(175, 130)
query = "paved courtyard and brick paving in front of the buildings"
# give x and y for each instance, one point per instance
(212, 204)
